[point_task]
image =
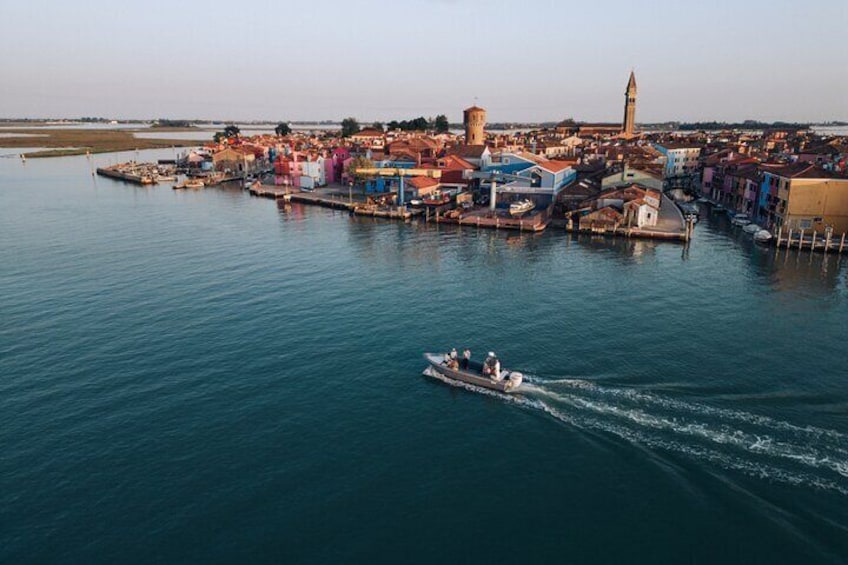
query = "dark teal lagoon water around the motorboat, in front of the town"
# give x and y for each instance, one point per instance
(203, 377)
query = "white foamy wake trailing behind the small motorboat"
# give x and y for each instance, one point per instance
(756, 445)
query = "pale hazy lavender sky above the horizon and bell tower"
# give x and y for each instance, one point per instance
(529, 60)
